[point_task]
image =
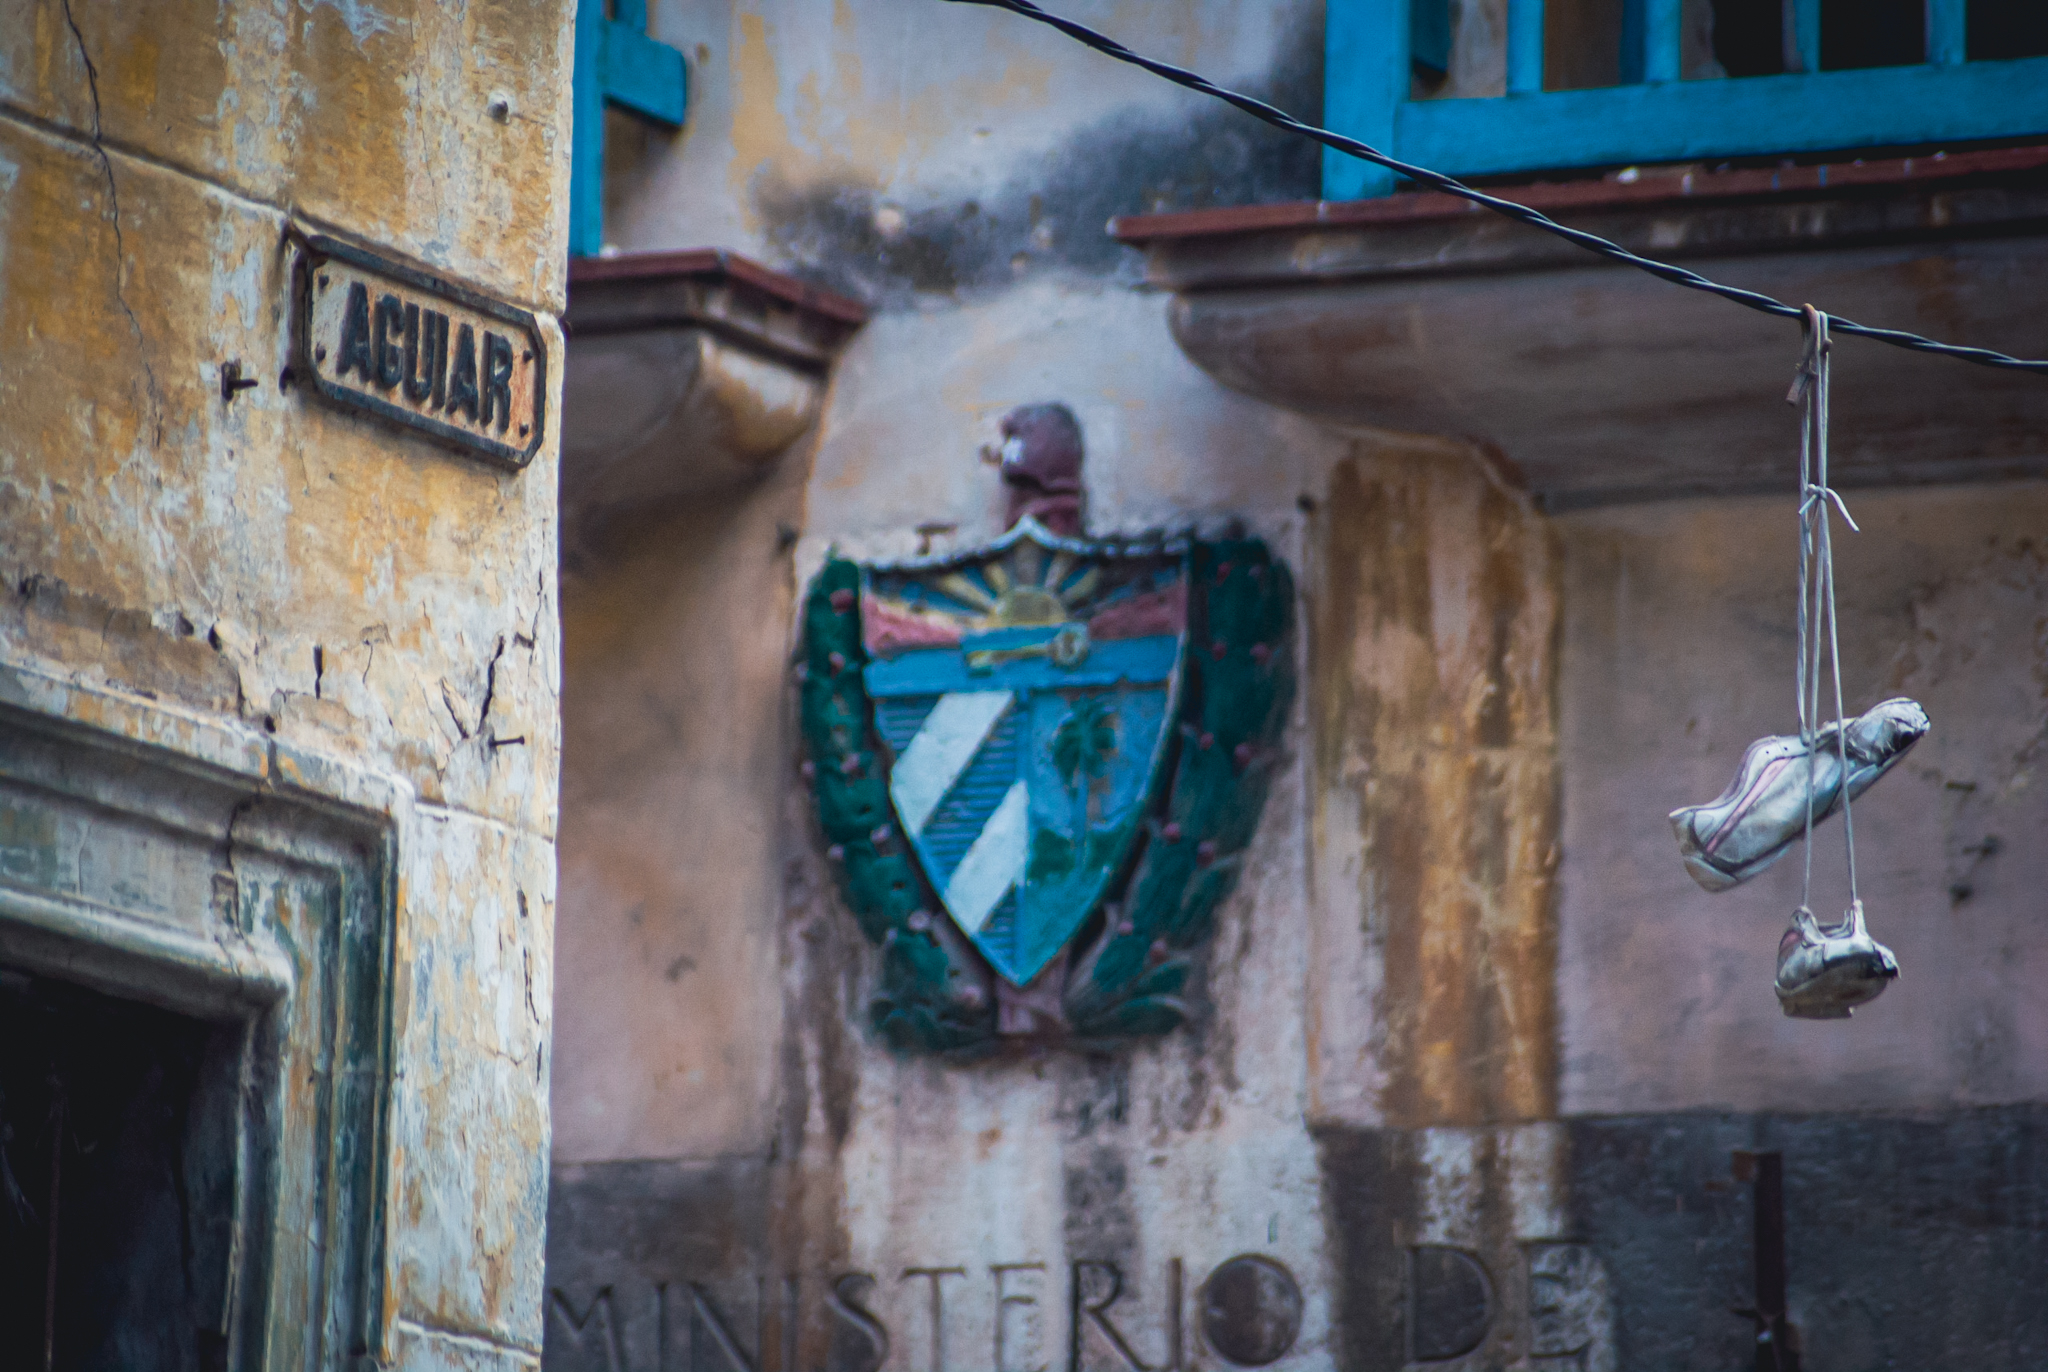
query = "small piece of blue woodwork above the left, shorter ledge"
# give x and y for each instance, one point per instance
(615, 65)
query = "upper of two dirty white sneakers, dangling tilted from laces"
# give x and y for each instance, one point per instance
(1754, 822)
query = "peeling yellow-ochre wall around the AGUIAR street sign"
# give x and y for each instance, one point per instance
(355, 597)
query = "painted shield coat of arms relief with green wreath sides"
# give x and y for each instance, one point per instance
(1037, 763)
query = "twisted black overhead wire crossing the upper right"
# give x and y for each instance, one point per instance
(1523, 214)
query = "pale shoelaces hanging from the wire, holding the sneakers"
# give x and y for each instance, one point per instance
(1818, 583)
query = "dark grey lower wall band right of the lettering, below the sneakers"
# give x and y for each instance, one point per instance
(1908, 1238)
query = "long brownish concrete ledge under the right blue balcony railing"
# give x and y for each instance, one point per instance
(1601, 384)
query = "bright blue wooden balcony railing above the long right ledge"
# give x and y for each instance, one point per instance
(1658, 118)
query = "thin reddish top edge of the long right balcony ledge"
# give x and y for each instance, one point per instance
(1650, 189)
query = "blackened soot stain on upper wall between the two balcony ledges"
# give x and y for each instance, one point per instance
(1054, 212)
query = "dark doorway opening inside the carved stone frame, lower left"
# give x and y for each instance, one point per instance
(118, 1164)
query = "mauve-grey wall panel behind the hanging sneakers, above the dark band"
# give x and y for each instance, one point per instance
(1678, 652)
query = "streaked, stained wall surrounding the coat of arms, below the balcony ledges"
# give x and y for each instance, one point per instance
(740, 1162)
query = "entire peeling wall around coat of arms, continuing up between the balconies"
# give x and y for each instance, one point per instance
(738, 1164)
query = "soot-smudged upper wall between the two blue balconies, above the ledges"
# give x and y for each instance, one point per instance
(906, 151)
